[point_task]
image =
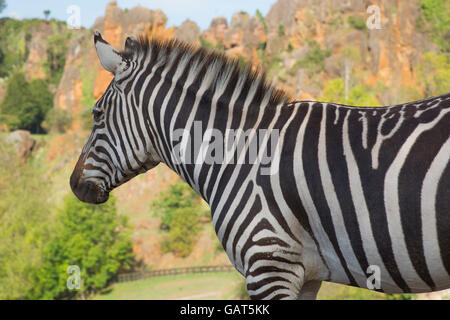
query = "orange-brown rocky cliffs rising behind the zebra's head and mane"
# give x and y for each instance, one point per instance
(278, 42)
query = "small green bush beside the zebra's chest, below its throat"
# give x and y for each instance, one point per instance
(180, 210)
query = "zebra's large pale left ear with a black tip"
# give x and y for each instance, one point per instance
(109, 57)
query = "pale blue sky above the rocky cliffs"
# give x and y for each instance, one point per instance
(177, 11)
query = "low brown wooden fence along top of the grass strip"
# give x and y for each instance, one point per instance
(134, 276)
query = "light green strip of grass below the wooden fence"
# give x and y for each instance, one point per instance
(211, 286)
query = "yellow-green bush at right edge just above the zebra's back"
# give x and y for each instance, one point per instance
(434, 73)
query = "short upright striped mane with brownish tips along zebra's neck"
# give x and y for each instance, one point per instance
(220, 71)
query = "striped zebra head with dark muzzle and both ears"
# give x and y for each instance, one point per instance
(113, 153)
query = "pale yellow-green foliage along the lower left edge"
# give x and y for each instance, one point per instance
(25, 222)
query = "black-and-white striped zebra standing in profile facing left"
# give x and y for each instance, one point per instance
(353, 190)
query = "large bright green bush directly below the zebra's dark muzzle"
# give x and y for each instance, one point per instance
(94, 238)
